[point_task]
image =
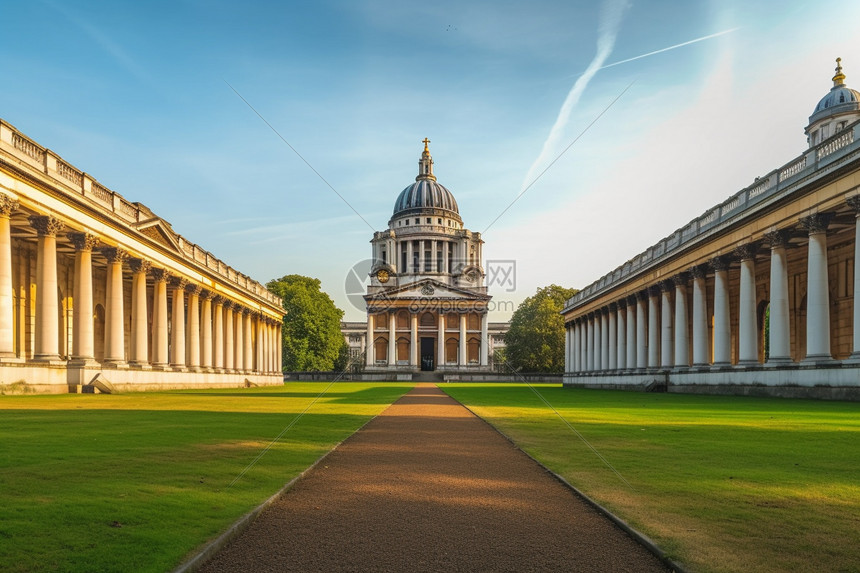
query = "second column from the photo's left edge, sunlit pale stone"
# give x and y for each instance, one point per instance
(47, 343)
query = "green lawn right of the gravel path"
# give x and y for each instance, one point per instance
(723, 484)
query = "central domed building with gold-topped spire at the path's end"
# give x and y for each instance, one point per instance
(426, 301)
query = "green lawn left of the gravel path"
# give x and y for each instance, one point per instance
(134, 482)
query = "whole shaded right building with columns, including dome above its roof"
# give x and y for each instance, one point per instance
(760, 290)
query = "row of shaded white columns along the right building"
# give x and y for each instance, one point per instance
(661, 327)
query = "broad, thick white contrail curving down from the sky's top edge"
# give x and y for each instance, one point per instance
(610, 22)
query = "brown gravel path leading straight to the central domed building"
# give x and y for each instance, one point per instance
(428, 486)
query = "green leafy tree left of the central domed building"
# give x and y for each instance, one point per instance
(311, 333)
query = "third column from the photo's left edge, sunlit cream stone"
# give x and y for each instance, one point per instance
(83, 339)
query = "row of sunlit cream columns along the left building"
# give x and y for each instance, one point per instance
(207, 331)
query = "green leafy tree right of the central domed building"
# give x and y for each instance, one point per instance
(535, 340)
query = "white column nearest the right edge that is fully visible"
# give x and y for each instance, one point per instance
(817, 295)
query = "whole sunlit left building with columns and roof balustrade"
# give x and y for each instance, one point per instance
(130, 304)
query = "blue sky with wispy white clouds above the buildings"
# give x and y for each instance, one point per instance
(137, 95)
